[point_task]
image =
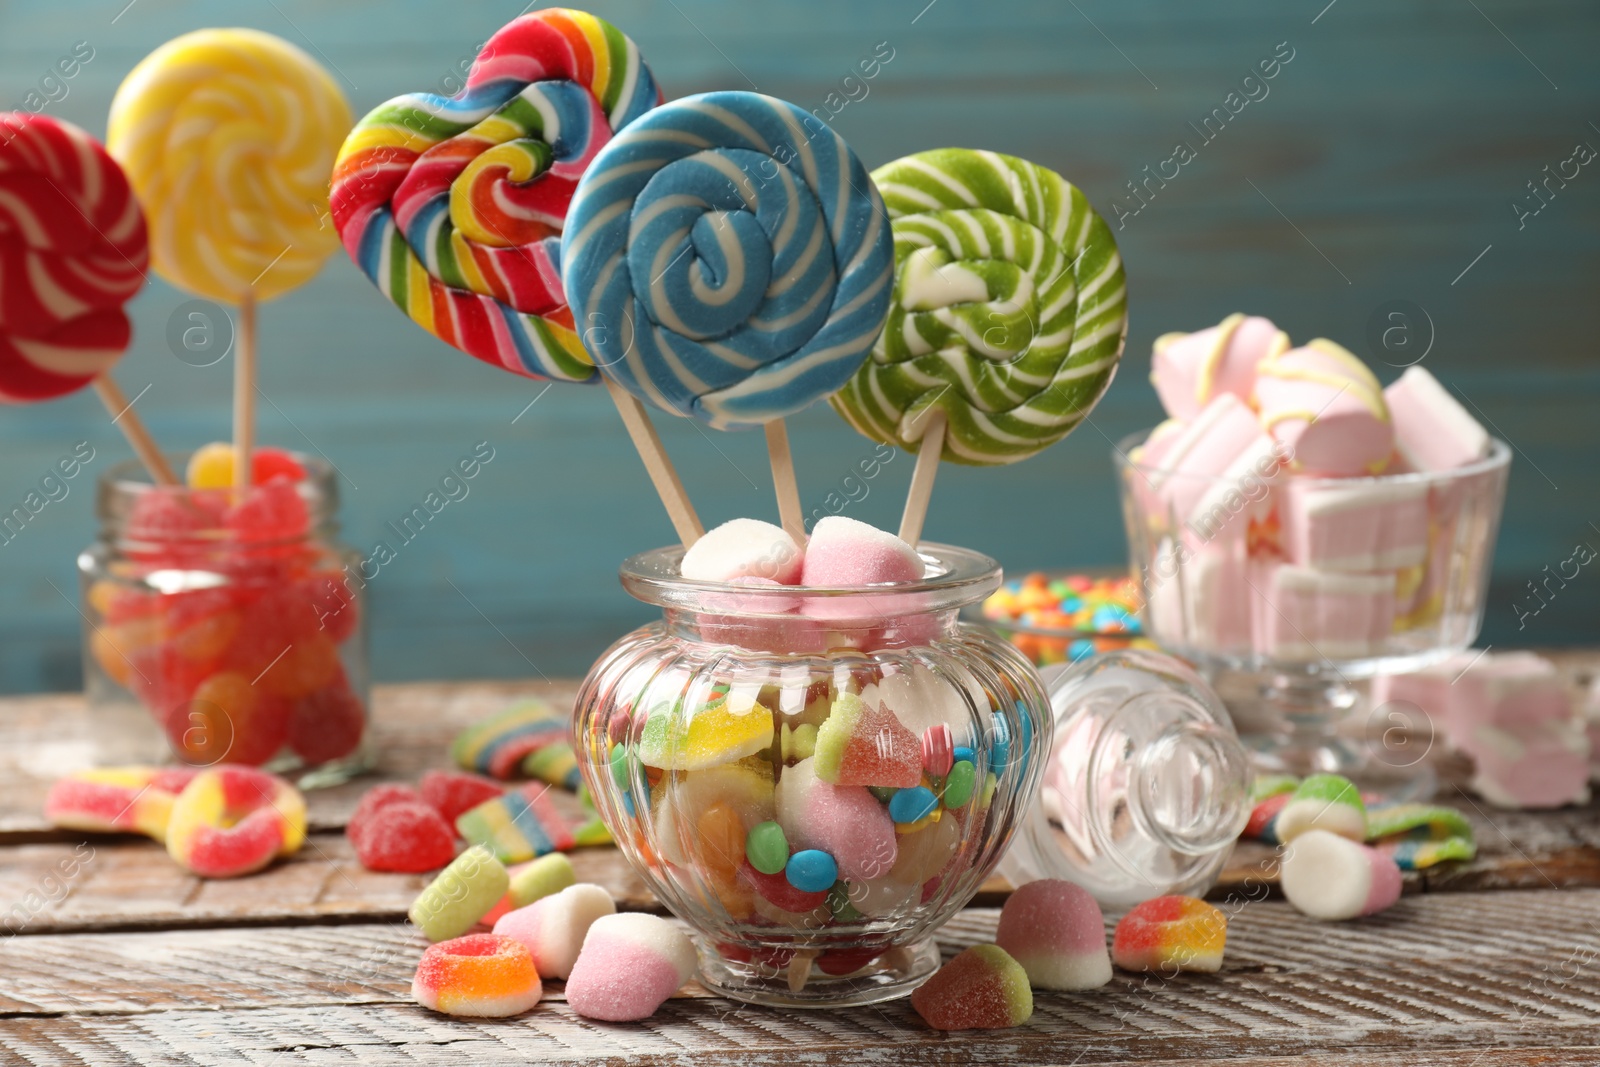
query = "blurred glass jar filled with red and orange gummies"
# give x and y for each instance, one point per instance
(223, 628)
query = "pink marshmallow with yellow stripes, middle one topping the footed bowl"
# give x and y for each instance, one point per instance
(1324, 404)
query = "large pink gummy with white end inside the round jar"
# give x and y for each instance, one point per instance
(844, 821)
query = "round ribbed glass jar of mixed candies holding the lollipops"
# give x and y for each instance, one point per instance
(814, 780)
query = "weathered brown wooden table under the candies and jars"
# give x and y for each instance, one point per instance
(130, 961)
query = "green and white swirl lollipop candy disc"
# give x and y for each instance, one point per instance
(1010, 310)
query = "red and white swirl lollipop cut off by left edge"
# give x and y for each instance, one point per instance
(73, 252)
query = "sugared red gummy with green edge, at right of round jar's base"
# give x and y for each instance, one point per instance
(1057, 932)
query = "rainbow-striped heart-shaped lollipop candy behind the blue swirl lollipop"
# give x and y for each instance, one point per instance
(455, 206)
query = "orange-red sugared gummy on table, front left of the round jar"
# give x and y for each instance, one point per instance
(479, 977)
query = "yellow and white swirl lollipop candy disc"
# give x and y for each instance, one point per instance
(228, 138)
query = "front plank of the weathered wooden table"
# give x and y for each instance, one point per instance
(1436, 980)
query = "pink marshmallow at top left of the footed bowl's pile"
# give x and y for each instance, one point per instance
(1190, 370)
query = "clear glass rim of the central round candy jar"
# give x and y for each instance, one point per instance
(953, 578)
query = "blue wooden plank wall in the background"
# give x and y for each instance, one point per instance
(1385, 159)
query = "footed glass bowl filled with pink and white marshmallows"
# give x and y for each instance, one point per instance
(1311, 585)
